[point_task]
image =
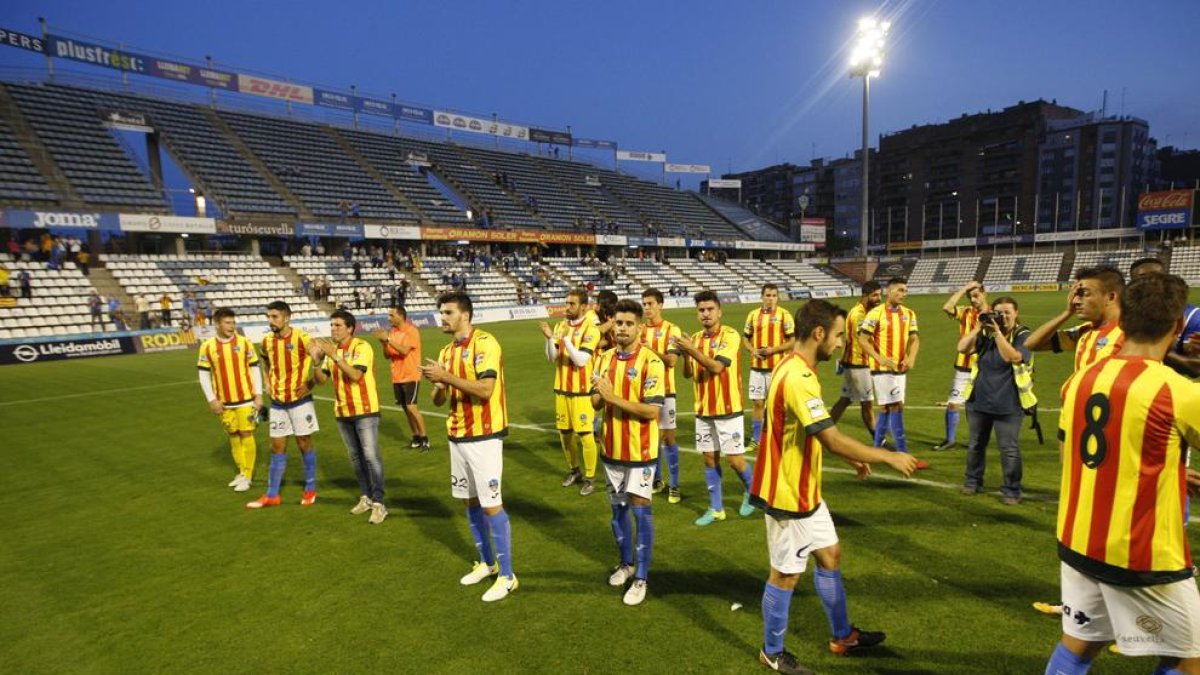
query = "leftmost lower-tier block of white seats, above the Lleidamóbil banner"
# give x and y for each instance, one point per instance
(58, 307)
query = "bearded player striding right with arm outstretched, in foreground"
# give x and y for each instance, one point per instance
(788, 487)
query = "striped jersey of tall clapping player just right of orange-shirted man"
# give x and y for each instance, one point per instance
(476, 357)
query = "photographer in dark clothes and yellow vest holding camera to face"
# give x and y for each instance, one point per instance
(1000, 395)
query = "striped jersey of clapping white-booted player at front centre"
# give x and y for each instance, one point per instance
(639, 378)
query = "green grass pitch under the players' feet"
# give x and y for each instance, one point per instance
(125, 553)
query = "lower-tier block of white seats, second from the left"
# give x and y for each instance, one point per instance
(245, 284)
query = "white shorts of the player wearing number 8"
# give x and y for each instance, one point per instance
(1162, 620)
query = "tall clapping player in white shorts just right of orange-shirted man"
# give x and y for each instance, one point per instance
(470, 374)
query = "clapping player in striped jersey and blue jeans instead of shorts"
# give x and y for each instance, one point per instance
(350, 362)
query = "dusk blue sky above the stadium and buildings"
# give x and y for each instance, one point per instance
(731, 85)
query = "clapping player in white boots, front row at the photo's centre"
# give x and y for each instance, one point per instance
(629, 384)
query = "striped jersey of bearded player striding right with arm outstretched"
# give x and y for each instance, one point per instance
(788, 473)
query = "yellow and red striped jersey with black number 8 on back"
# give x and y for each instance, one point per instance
(1125, 428)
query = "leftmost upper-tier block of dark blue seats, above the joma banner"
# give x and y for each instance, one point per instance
(89, 156)
